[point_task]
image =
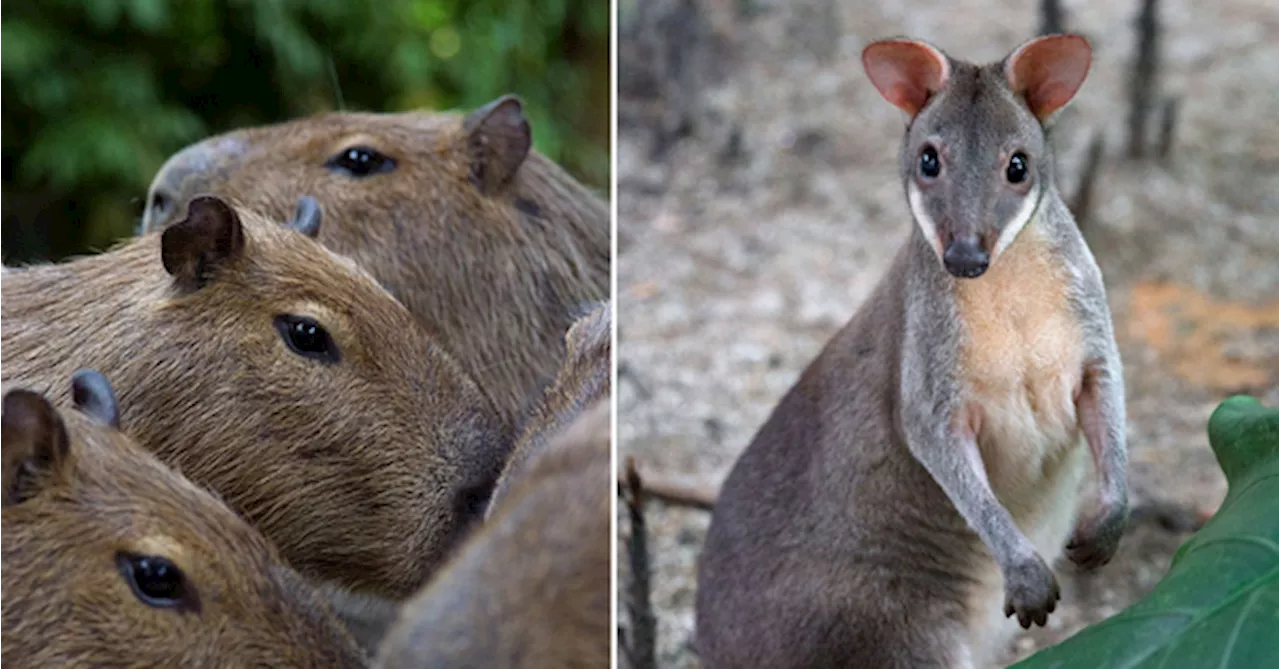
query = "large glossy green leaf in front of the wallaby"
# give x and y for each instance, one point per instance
(1219, 607)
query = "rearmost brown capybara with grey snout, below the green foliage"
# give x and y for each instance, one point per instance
(492, 246)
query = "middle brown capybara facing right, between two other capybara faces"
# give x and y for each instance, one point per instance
(280, 375)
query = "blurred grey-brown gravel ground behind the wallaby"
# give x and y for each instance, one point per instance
(748, 244)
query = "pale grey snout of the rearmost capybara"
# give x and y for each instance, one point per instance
(182, 177)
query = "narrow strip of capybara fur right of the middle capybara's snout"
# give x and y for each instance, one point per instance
(583, 382)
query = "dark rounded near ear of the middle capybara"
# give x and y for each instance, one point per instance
(195, 248)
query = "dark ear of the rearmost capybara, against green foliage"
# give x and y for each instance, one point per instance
(499, 143)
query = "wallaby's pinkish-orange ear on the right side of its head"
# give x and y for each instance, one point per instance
(1049, 71)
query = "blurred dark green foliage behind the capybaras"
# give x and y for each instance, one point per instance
(97, 94)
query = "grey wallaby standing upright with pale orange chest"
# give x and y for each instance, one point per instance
(915, 487)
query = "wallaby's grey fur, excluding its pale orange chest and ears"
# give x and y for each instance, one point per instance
(854, 529)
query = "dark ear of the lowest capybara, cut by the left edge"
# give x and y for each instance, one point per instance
(33, 442)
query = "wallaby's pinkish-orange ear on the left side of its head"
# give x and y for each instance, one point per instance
(907, 72)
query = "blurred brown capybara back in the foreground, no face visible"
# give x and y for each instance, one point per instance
(532, 589)
